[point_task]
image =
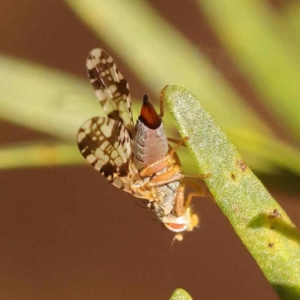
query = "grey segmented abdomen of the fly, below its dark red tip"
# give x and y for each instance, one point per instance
(149, 145)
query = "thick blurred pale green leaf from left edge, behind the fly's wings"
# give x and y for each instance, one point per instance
(48, 101)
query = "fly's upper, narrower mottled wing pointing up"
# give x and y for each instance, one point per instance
(110, 87)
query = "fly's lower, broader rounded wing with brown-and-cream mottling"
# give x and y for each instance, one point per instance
(105, 143)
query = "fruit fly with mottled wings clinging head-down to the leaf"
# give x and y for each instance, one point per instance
(137, 159)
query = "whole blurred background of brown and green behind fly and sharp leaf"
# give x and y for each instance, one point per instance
(65, 231)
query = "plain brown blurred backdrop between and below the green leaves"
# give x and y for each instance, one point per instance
(65, 233)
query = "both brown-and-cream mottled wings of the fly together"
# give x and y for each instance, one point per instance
(106, 142)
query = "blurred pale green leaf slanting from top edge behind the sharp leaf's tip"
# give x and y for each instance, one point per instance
(159, 55)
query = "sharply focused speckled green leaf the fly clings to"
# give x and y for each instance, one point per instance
(259, 221)
